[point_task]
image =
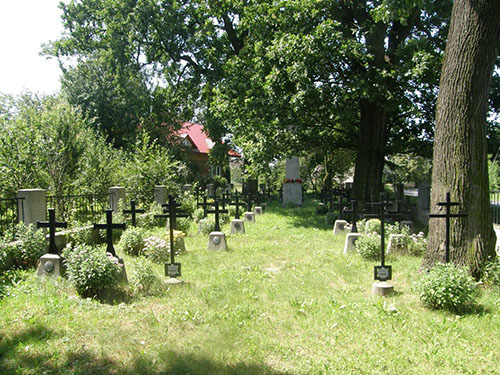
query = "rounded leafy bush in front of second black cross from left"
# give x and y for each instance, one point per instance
(91, 270)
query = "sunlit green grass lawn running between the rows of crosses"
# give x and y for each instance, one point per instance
(283, 300)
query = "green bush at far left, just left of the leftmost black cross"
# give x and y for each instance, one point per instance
(30, 245)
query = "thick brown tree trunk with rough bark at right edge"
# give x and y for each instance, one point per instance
(460, 160)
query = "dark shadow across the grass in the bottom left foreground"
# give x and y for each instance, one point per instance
(15, 360)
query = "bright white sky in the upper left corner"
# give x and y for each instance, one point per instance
(24, 26)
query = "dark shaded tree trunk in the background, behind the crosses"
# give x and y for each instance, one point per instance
(371, 151)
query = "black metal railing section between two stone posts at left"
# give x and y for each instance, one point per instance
(79, 208)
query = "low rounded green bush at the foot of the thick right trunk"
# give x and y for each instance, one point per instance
(448, 287)
